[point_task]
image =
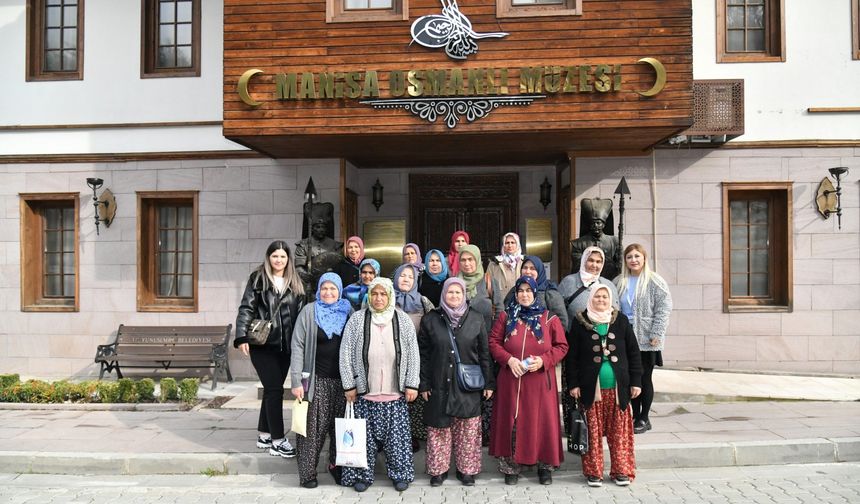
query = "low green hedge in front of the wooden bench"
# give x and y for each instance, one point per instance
(124, 390)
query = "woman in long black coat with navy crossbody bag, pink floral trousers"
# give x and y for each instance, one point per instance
(453, 415)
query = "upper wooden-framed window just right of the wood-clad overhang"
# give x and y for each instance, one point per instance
(750, 31)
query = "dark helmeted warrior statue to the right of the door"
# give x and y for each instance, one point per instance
(595, 219)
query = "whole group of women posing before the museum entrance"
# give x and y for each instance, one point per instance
(447, 352)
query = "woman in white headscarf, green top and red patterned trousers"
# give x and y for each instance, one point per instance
(604, 371)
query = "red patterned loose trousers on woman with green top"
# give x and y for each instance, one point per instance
(605, 418)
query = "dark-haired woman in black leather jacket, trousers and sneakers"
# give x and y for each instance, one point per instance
(274, 285)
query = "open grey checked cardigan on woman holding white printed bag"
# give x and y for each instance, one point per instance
(353, 353)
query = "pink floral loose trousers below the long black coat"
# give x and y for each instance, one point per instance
(464, 435)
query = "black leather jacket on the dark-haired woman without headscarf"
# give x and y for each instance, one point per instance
(257, 303)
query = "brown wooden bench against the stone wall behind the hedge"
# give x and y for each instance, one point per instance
(166, 347)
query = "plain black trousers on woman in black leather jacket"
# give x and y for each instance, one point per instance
(272, 367)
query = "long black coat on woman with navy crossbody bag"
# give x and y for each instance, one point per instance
(438, 366)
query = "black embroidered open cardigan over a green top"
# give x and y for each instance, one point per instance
(584, 358)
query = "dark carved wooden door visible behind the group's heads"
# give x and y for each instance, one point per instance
(484, 205)
